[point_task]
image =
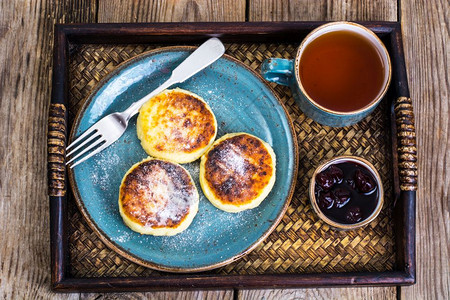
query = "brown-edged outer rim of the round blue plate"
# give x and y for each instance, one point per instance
(134, 258)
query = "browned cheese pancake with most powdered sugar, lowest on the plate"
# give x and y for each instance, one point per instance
(158, 197)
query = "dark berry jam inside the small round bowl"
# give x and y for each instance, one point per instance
(346, 192)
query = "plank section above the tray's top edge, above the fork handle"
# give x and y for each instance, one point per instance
(171, 11)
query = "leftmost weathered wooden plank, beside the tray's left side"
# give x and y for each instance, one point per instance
(26, 36)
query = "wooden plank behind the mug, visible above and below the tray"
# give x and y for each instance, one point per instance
(310, 10)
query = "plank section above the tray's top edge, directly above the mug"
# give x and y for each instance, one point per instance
(322, 10)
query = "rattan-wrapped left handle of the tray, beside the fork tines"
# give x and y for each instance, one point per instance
(56, 145)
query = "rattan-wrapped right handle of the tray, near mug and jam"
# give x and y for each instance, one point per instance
(407, 149)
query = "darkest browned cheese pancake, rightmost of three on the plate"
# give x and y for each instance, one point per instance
(238, 172)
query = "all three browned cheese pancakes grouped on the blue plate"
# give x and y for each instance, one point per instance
(158, 197)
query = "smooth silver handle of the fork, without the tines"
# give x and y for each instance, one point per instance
(203, 56)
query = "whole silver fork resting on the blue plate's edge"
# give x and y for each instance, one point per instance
(110, 128)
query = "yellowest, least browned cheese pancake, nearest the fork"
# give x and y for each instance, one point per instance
(176, 125)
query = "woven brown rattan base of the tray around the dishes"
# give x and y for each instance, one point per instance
(300, 243)
